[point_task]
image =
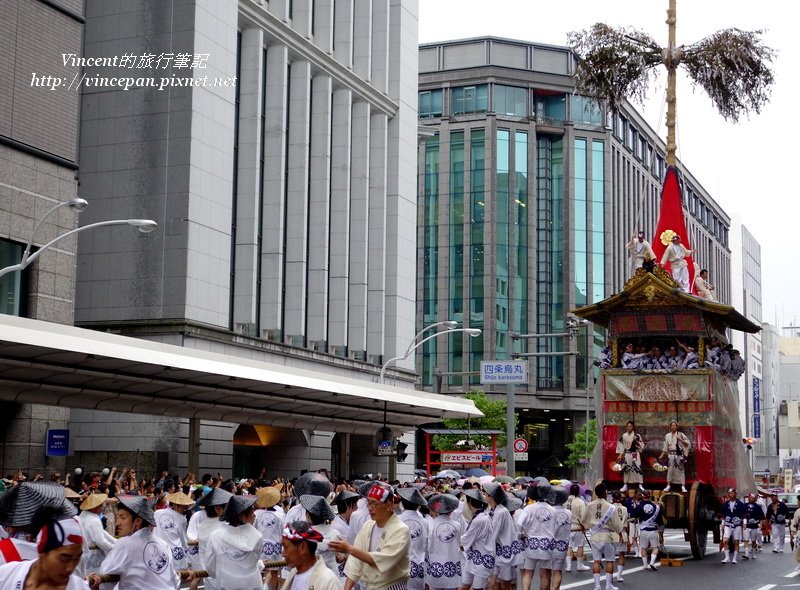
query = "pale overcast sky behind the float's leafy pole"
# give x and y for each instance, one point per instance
(749, 168)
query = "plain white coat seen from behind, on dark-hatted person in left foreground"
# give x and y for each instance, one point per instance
(232, 557)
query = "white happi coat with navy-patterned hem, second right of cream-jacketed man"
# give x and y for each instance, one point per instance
(444, 553)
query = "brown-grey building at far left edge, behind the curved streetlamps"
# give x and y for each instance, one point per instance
(38, 163)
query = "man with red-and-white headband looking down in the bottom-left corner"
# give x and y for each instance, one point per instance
(59, 546)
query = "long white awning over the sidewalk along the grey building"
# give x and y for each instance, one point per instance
(54, 364)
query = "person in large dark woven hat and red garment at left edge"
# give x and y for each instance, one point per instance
(18, 506)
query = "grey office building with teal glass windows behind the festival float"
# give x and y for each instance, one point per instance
(528, 195)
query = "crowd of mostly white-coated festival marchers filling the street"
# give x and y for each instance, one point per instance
(309, 533)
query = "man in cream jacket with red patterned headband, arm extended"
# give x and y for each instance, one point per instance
(379, 555)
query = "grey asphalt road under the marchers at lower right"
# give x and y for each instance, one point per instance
(769, 570)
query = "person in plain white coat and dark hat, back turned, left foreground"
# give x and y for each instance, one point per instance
(233, 551)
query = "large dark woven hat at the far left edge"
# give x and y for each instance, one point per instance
(18, 505)
